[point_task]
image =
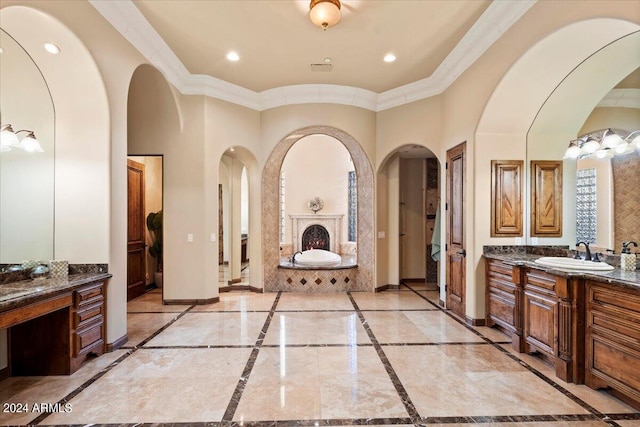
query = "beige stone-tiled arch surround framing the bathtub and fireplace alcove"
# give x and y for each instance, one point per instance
(365, 208)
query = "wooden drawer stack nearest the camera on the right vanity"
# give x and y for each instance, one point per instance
(613, 340)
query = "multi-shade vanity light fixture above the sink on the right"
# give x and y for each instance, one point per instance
(603, 145)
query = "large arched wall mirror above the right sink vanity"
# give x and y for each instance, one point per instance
(598, 193)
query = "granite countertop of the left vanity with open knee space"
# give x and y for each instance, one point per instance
(17, 294)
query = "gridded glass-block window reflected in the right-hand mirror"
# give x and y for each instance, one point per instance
(586, 205)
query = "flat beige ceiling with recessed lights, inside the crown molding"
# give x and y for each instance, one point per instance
(277, 42)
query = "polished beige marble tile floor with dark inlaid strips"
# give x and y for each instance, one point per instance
(390, 358)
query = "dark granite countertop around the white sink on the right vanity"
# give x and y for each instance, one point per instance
(630, 279)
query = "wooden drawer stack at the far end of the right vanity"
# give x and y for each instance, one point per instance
(504, 299)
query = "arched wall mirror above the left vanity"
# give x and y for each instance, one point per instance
(26, 178)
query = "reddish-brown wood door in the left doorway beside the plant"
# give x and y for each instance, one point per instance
(136, 257)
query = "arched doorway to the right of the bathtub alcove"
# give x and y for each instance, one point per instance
(408, 195)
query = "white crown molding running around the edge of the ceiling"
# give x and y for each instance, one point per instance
(125, 17)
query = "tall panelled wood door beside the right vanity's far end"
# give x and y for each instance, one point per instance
(455, 249)
